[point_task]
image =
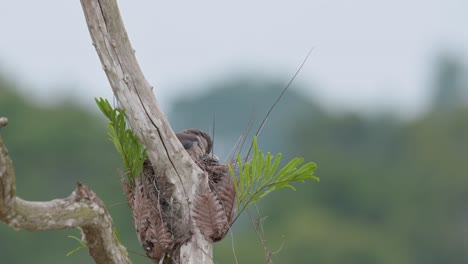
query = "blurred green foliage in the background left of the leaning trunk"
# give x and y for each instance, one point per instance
(53, 147)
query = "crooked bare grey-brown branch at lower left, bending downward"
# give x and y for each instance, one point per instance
(82, 208)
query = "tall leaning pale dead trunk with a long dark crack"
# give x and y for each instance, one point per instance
(134, 94)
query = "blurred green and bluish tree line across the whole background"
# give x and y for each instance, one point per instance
(391, 191)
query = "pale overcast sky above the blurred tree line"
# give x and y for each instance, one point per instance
(368, 53)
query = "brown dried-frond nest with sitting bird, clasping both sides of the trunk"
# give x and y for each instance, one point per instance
(157, 214)
